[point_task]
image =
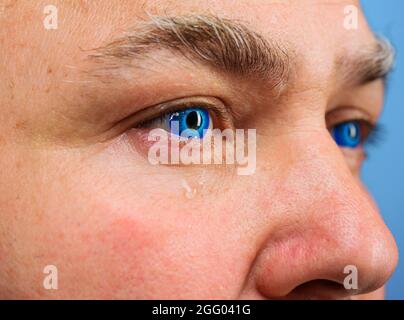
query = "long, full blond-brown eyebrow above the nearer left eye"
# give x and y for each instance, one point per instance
(223, 44)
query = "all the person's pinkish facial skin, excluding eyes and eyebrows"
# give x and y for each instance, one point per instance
(74, 193)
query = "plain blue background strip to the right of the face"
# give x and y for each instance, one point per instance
(383, 172)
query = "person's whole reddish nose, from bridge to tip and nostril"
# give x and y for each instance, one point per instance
(326, 238)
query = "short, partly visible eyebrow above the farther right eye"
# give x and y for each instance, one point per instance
(372, 63)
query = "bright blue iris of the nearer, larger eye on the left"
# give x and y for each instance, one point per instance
(189, 122)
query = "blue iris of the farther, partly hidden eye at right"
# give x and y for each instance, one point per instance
(347, 134)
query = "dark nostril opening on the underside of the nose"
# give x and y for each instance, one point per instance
(320, 289)
